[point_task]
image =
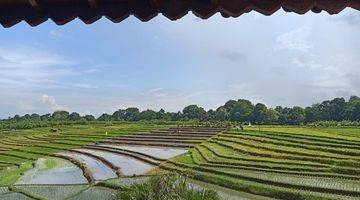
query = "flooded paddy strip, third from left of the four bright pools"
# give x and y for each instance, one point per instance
(128, 165)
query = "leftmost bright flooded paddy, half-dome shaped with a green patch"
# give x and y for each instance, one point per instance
(60, 172)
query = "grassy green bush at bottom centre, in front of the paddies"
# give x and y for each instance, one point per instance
(165, 187)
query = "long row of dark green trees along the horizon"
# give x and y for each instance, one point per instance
(238, 111)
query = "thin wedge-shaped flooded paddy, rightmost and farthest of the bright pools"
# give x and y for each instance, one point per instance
(158, 152)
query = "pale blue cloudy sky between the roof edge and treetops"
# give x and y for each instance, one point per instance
(285, 59)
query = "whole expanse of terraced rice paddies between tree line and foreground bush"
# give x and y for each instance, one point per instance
(84, 162)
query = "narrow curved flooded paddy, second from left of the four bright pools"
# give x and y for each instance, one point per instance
(99, 170)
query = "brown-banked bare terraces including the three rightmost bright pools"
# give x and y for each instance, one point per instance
(133, 154)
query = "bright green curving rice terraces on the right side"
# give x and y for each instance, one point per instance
(280, 165)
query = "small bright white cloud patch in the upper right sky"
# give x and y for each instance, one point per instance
(296, 39)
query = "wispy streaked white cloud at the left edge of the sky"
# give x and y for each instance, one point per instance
(29, 67)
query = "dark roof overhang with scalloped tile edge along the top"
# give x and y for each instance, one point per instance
(35, 12)
